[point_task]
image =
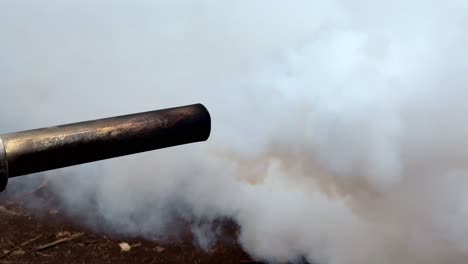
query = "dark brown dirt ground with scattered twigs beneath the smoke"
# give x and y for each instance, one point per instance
(51, 237)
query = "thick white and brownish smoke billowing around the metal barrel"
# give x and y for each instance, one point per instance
(338, 126)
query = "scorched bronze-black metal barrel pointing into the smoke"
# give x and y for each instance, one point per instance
(50, 148)
